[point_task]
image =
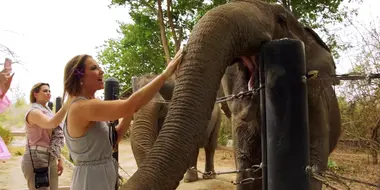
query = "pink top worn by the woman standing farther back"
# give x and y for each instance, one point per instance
(37, 135)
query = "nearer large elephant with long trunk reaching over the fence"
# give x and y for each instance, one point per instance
(229, 37)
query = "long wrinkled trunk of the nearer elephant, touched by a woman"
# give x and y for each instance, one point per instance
(223, 34)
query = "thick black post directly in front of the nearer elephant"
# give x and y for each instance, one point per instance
(286, 115)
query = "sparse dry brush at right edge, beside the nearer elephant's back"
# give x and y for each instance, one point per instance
(361, 120)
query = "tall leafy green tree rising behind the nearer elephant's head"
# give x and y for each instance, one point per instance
(160, 27)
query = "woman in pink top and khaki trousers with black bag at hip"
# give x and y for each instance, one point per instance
(41, 160)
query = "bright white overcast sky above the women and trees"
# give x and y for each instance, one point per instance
(45, 34)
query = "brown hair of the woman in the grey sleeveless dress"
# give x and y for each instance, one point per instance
(74, 71)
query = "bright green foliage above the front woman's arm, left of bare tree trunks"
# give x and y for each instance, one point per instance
(138, 52)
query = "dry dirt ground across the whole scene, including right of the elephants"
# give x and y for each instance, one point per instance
(348, 162)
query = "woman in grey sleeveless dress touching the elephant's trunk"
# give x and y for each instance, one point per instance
(85, 128)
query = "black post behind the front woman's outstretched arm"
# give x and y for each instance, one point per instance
(111, 92)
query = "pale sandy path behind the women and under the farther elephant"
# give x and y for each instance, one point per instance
(11, 177)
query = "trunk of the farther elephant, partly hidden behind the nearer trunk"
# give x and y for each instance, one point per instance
(144, 131)
